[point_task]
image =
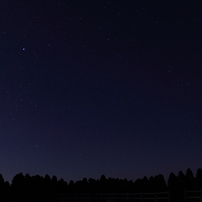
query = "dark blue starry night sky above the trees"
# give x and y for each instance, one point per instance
(100, 87)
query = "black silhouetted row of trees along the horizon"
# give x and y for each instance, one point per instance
(26, 187)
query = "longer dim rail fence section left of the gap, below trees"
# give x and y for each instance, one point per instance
(115, 197)
